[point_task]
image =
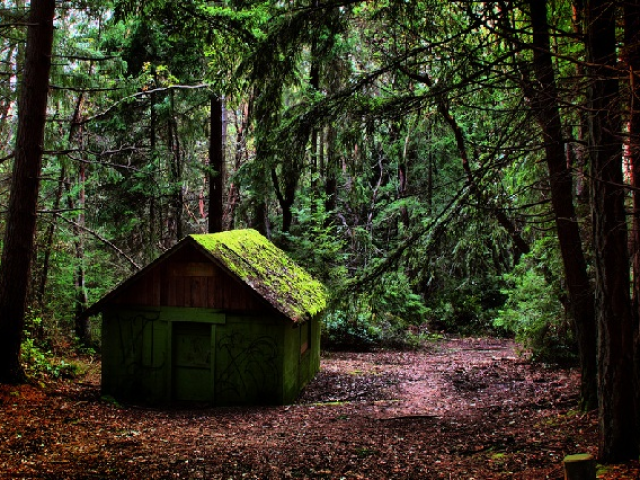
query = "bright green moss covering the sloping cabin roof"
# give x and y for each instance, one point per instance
(268, 271)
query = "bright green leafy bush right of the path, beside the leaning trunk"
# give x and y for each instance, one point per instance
(534, 311)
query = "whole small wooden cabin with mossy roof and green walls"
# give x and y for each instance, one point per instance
(224, 319)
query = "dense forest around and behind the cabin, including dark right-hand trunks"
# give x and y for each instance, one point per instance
(440, 166)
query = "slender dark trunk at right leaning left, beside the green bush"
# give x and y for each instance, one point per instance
(581, 295)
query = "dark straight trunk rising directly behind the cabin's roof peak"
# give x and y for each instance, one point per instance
(216, 165)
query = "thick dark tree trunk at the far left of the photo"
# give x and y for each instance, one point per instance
(25, 183)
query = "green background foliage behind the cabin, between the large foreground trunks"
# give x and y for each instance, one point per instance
(329, 108)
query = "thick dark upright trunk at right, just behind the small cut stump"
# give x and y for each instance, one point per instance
(616, 412)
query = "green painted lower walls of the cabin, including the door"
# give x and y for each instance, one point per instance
(160, 355)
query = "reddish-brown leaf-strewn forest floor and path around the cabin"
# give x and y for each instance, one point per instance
(460, 409)
